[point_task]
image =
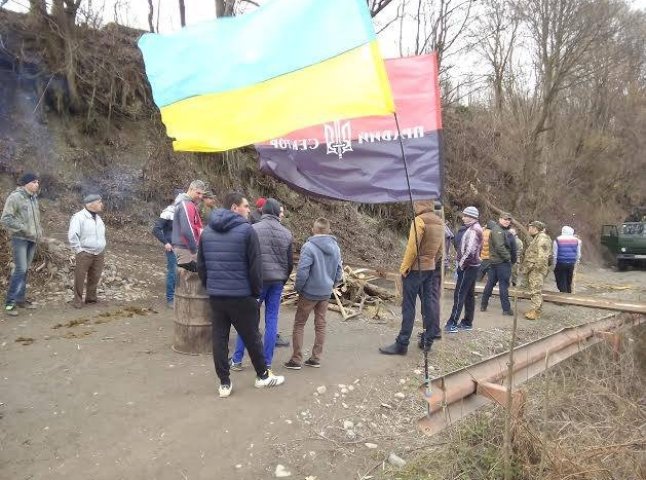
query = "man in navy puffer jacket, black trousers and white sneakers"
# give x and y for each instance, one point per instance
(230, 267)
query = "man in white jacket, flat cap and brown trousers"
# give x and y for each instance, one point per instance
(87, 239)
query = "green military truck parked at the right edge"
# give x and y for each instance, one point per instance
(625, 243)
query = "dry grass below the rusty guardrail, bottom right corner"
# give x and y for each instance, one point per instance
(585, 420)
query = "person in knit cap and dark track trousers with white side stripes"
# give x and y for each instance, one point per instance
(468, 243)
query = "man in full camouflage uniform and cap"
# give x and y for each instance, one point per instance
(536, 265)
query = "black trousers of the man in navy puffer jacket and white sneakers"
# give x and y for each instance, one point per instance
(243, 314)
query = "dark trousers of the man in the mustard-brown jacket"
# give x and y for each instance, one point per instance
(419, 284)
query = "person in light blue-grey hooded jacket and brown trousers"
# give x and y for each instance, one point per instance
(319, 270)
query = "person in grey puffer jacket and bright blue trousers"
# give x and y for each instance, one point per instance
(277, 263)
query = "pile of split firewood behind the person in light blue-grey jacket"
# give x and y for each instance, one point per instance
(355, 296)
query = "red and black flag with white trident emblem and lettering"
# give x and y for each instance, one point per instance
(360, 159)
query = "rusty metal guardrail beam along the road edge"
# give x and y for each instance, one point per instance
(461, 392)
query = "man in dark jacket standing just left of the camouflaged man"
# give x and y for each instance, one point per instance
(502, 255)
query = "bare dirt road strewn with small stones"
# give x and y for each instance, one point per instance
(104, 397)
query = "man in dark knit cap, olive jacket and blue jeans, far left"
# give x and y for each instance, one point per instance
(21, 218)
